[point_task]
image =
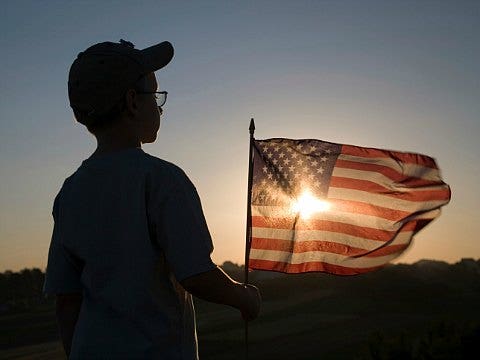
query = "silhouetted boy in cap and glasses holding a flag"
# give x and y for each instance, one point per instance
(130, 242)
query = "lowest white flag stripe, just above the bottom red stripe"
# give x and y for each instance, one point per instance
(320, 256)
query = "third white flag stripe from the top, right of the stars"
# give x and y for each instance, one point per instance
(383, 201)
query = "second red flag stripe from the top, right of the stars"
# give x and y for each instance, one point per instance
(393, 175)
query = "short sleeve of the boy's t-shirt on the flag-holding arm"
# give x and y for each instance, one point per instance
(181, 229)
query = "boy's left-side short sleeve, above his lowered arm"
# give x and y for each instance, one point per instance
(63, 274)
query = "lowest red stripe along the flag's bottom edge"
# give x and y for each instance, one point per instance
(307, 267)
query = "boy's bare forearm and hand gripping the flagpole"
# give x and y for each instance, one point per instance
(216, 286)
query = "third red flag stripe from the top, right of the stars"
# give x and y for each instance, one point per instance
(364, 185)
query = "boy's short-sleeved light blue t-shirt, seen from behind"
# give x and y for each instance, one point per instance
(128, 227)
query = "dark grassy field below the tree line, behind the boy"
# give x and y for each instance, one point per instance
(391, 314)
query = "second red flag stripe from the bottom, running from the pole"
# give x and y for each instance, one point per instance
(324, 246)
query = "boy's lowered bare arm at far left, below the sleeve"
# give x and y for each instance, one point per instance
(67, 310)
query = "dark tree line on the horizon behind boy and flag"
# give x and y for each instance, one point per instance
(24, 289)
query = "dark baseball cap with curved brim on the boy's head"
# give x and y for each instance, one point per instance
(100, 76)
